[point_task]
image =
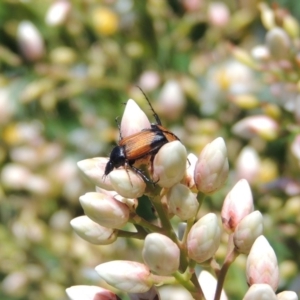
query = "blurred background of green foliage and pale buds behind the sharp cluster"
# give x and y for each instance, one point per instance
(67, 68)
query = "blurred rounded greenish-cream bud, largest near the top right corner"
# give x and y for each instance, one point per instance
(279, 43)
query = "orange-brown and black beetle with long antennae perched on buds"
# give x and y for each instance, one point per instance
(141, 145)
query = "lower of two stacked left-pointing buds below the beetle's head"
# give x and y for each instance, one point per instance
(93, 232)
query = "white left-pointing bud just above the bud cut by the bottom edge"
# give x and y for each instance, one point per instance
(127, 276)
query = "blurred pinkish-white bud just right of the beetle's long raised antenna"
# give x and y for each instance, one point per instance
(171, 99)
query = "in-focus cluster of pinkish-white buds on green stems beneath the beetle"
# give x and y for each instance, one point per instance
(172, 255)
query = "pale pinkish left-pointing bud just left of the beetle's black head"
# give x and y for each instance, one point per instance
(93, 169)
